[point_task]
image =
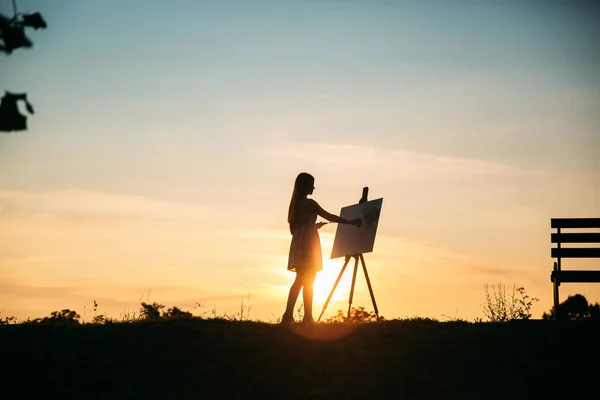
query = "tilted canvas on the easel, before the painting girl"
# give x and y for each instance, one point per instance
(350, 240)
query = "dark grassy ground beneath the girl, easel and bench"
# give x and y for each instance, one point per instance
(217, 359)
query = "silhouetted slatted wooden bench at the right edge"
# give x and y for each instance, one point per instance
(559, 237)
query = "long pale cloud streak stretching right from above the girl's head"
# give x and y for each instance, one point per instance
(457, 187)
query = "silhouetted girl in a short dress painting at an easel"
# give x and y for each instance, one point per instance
(305, 249)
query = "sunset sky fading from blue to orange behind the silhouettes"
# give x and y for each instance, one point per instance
(161, 158)
